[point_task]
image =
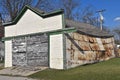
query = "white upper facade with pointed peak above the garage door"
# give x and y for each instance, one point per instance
(32, 23)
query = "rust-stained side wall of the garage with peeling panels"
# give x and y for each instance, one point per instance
(83, 49)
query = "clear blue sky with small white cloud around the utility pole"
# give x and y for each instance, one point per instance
(112, 13)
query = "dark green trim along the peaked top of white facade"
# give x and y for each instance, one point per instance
(37, 11)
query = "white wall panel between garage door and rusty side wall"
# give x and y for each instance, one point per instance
(56, 51)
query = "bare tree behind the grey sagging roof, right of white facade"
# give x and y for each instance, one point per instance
(74, 11)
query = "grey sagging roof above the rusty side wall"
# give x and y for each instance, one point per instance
(87, 29)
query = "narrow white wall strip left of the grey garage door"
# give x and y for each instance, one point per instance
(8, 53)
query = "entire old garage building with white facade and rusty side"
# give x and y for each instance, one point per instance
(36, 38)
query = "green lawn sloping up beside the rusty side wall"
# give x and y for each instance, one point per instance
(107, 70)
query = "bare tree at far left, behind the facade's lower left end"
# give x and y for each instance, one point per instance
(12, 7)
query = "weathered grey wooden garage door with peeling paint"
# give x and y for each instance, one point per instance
(30, 51)
